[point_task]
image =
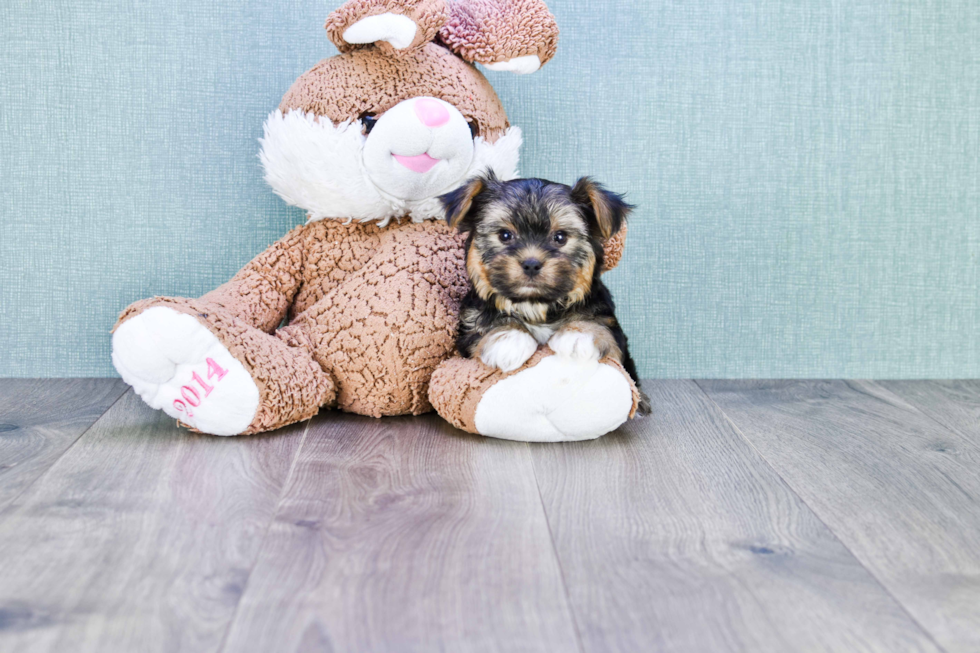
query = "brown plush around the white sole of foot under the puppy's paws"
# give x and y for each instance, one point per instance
(459, 384)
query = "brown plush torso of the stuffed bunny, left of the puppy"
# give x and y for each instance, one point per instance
(382, 315)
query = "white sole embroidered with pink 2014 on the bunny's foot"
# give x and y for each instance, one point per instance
(176, 364)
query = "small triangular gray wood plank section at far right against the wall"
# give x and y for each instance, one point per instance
(954, 404)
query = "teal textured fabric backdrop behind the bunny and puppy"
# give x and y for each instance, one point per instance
(807, 171)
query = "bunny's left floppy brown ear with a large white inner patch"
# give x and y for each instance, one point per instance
(394, 26)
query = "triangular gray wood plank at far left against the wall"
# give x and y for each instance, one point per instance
(40, 419)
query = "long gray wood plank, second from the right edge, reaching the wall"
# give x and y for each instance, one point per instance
(901, 491)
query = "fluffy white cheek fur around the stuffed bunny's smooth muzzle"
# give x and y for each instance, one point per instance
(320, 167)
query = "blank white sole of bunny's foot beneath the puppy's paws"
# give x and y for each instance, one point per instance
(560, 398)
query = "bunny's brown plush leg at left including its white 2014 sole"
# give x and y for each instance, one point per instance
(215, 374)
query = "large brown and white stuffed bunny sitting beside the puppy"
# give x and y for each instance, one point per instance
(357, 309)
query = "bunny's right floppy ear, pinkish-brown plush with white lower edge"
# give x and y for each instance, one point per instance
(519, 36)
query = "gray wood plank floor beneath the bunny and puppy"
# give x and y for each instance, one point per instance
(741, 516)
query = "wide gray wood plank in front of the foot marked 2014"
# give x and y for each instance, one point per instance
(139, 538)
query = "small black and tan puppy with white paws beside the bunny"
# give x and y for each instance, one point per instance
(534, 255)
